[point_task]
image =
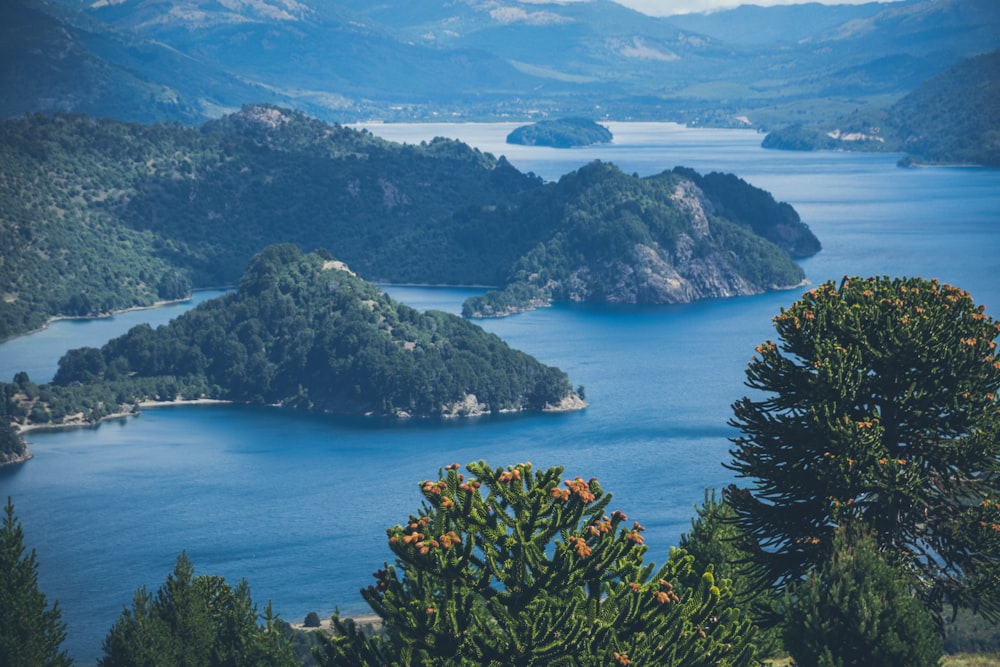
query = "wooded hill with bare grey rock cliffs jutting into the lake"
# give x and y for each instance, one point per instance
(670, 238)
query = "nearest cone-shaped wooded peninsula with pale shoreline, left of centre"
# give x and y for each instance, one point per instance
(304, 332)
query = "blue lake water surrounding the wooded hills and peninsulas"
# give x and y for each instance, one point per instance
(298, 503)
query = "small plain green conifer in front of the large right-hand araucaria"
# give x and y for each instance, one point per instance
(858, 610)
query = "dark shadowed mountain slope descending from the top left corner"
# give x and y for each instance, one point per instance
(56, 60)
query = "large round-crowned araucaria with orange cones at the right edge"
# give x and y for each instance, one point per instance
(882, 410)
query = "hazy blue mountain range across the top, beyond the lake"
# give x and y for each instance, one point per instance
(187, 61)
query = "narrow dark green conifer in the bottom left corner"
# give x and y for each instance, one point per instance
(31, 632)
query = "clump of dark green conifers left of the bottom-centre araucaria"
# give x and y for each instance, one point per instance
(195, 621)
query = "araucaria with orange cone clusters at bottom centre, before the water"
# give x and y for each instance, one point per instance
(521, 567)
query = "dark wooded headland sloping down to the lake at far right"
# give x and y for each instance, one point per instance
(953, 118)
